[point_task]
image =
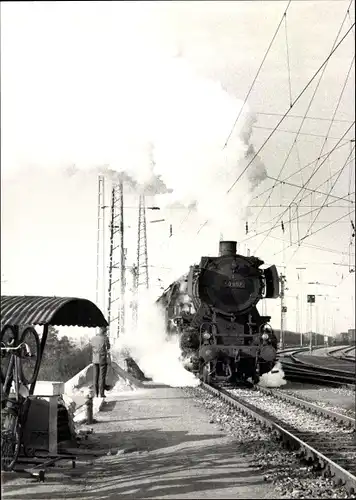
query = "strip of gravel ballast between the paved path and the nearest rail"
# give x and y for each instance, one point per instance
(283, 468)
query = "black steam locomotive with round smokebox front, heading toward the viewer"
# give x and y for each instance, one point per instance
(213, 310)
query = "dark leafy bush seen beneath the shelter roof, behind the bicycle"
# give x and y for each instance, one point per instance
(62, 358)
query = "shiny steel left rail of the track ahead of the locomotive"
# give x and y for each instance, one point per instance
(289, 437)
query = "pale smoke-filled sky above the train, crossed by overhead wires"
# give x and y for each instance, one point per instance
(154, 88)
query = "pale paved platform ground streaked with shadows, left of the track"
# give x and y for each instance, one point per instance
(162, 446)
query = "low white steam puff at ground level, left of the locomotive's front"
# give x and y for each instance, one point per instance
(158, 355)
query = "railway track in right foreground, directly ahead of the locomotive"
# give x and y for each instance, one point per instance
(334, 454)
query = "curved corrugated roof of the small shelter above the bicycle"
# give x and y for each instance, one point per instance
(56, 311)
